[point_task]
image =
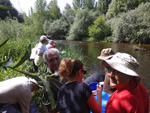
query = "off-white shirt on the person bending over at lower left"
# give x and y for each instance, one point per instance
(16, 90)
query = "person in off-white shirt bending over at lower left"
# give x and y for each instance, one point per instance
(16, 94)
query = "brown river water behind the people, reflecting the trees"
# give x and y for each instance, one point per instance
(92, 49)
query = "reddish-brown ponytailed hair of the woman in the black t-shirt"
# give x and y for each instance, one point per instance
(68, 67)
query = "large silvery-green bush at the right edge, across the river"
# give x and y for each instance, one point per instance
(133, 27)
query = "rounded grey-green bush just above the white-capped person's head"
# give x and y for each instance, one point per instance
(57, 29)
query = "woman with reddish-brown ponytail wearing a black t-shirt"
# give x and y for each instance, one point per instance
(76, 96)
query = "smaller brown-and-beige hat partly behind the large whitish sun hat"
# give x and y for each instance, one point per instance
(106, 54)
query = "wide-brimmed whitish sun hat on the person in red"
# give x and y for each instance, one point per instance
(123, 63)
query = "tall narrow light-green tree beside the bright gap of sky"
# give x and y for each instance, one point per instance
(54, 10)
